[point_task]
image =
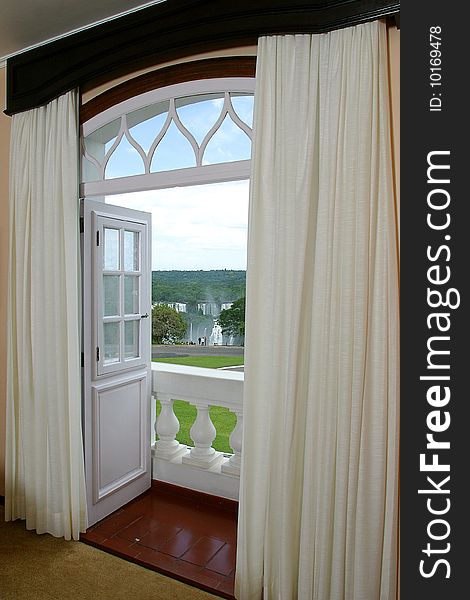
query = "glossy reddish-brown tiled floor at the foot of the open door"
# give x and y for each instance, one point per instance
(188, 536)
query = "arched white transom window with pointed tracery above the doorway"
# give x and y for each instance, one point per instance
(185, 134)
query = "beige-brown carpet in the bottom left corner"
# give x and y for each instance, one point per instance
(41, 567)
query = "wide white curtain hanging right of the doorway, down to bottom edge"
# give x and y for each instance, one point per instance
(318, 499)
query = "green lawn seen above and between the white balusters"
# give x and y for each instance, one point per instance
(224, 421)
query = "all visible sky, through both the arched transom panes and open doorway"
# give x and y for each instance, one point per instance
(197, 227)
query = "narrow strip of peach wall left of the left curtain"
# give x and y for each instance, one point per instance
(4, 160)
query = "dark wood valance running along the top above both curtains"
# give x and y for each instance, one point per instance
(168, 31)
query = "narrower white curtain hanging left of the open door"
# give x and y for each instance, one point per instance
(45, 481)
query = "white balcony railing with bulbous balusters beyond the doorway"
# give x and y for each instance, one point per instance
(199, 467)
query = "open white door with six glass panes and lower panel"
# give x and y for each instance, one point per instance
(117, 349)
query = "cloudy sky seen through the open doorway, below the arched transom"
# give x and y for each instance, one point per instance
(197, 227)
